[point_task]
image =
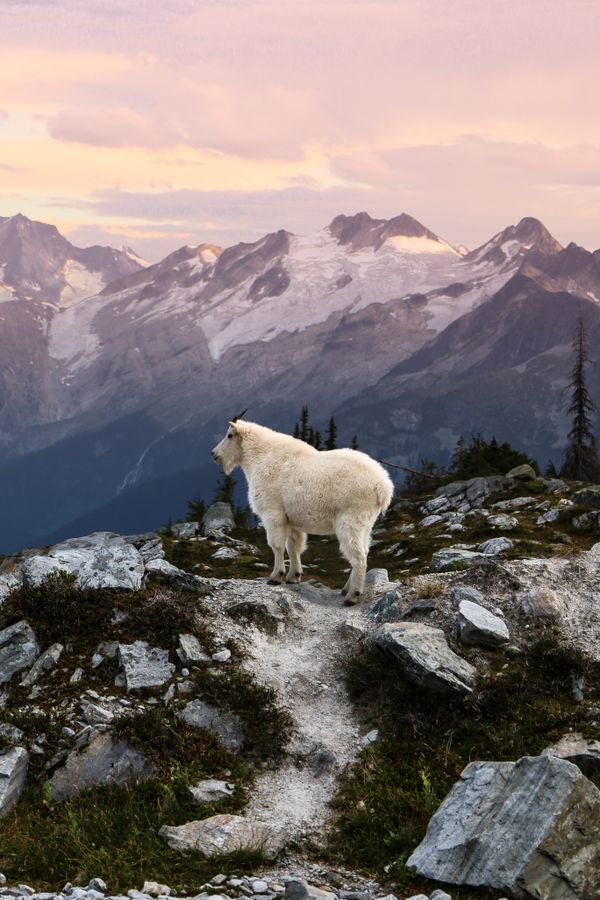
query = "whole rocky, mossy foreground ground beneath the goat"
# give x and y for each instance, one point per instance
(165, 714)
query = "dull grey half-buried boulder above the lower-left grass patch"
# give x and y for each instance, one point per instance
(100, 762)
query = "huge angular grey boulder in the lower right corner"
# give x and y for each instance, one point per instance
(530, 828)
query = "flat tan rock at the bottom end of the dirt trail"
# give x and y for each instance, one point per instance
(224, 834)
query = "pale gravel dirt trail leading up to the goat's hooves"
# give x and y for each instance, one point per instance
(302, 663)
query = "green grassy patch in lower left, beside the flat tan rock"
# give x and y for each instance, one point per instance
(112, 831)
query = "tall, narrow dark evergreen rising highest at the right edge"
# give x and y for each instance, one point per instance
(581, 456)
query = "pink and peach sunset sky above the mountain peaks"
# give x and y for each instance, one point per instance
(157, 123)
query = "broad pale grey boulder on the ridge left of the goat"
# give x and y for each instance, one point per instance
(99, 560)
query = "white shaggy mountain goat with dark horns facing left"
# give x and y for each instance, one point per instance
(296, 489)
